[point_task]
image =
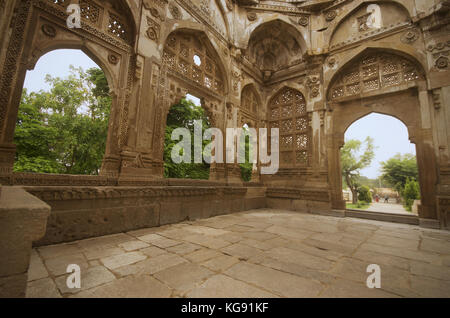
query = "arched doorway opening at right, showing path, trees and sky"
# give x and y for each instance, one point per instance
(379, 166)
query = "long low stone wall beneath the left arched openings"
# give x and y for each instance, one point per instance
(84, 212)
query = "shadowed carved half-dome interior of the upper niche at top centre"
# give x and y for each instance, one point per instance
(274, 46)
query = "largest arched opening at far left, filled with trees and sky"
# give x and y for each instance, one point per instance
(63, 116)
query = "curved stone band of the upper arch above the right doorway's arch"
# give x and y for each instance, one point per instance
(353, 7)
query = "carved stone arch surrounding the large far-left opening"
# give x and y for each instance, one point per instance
(106, 35)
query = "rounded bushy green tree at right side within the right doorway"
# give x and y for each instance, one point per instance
(397, 170)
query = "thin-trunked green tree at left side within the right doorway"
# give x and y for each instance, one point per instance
(352, 162)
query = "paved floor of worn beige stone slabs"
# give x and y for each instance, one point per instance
(259, 253)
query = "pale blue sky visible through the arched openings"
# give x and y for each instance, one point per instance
(390, 134)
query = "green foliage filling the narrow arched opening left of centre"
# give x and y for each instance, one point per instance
(183, 115)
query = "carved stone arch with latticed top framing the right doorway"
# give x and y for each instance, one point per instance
(389, 83)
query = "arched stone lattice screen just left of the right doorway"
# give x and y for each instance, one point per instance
(287, 111)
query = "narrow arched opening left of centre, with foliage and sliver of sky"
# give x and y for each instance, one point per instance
(187, 114)
